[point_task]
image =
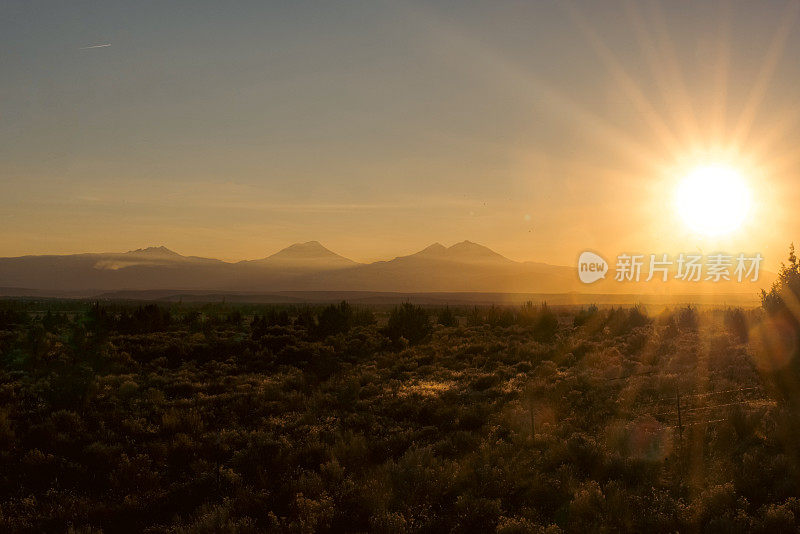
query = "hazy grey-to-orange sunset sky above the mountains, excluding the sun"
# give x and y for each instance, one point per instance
(539, 129)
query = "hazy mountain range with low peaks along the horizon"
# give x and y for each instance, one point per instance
(465, 266)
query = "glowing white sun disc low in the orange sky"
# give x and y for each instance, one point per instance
(713, 200)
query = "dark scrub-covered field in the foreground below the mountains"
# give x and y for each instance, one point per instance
(130, 417)
